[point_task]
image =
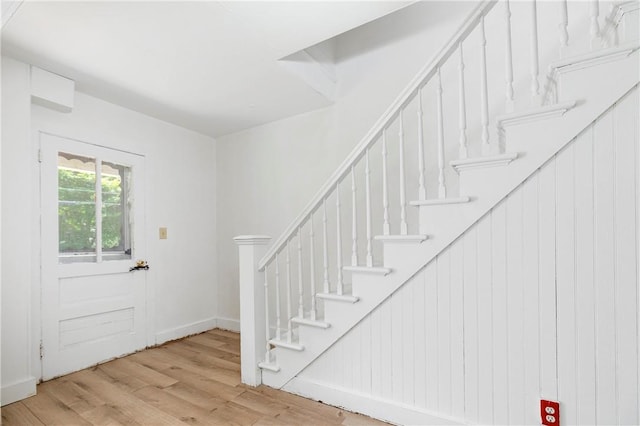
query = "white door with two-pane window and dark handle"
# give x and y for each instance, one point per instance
(92, 204)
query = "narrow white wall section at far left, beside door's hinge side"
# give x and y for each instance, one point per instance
(18, 379)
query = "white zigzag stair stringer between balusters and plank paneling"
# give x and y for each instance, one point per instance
(534, 142)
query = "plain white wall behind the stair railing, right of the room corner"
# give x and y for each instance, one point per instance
(269, 173)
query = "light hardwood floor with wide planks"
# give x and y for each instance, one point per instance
(193, 381)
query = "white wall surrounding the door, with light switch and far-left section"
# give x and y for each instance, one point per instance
(181, 195)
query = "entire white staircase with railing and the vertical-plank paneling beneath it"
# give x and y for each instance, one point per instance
(468, 306)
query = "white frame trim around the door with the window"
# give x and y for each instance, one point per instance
(37, 284)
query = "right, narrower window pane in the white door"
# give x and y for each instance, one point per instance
(115, 211)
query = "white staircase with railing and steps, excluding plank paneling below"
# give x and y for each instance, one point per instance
(309, 305)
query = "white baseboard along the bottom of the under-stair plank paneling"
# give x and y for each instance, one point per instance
(383, 409)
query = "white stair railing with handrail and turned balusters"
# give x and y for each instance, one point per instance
(311, 266)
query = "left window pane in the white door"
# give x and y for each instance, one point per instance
(76, 207)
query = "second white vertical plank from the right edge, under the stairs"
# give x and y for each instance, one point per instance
(605, 271)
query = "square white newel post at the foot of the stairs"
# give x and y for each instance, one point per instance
(252, 330)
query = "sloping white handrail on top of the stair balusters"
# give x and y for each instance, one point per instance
(405, 97)
